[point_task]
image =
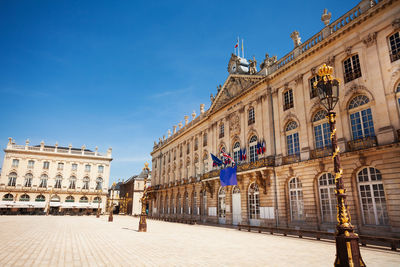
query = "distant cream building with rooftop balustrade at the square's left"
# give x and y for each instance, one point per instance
(52, 179)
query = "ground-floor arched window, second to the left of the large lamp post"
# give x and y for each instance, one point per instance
(296, 199)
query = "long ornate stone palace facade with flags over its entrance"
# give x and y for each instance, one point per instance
(291, 183)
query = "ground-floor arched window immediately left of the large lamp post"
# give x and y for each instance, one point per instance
(326, 184)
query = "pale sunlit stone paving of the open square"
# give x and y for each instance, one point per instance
(87, 241)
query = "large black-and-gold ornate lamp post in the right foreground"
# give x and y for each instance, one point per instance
(347, 247)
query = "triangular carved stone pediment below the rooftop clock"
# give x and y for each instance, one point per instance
(234, 86)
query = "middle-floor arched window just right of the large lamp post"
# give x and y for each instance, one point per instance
(361, 121)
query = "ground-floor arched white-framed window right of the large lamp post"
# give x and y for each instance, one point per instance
(372, 197)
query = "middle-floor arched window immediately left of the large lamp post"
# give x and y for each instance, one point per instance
(322, 133)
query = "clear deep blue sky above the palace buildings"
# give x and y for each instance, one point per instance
(121, 73)
